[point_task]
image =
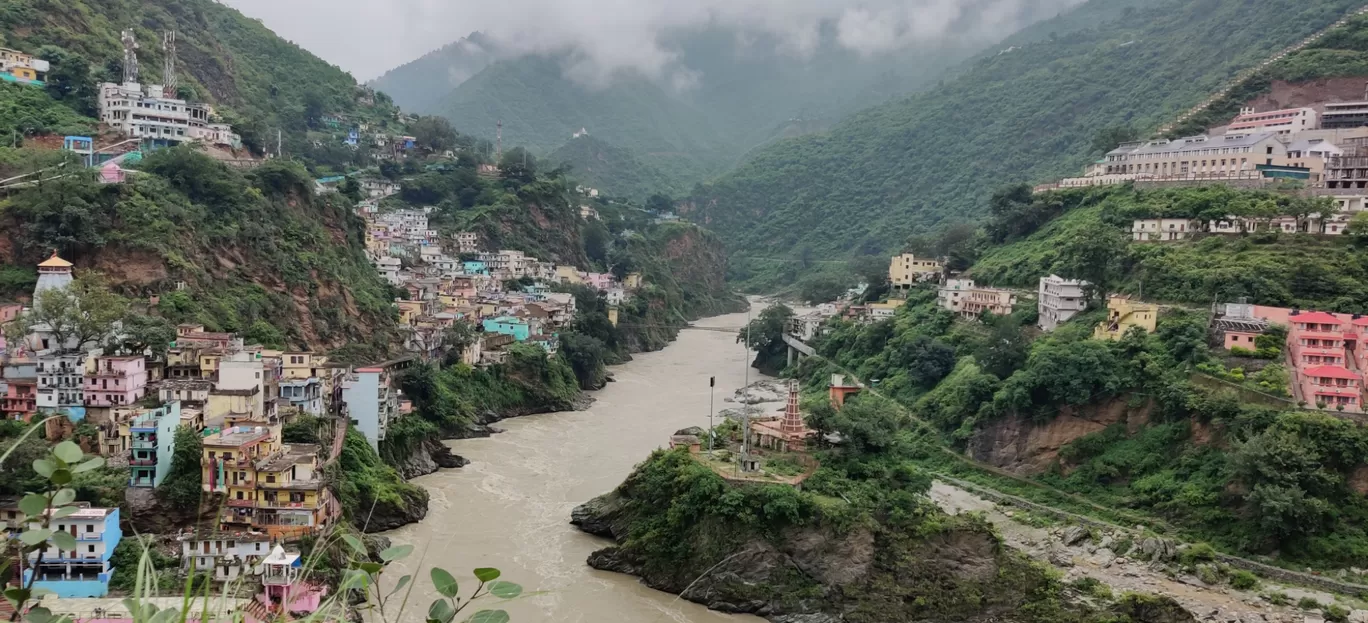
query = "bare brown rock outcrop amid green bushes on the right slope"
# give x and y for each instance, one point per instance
(1025, 446)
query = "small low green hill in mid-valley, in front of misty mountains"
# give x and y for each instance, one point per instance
(615, 170)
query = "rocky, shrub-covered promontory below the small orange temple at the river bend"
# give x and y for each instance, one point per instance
(875, 570)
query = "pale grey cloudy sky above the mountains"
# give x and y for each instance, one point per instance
(369, 38)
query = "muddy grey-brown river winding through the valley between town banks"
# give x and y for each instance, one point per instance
(511, 507)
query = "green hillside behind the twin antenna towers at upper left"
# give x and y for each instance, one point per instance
(258, 81)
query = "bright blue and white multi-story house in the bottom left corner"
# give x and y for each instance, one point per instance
(84, 573)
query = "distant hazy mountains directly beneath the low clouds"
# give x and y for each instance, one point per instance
(745, 91)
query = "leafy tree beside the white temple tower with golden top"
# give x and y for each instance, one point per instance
(76, 317)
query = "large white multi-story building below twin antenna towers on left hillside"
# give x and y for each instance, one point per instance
(140, 112)
